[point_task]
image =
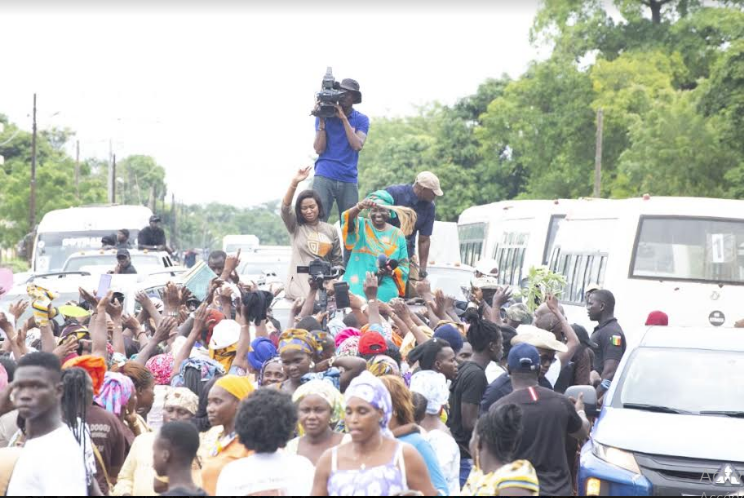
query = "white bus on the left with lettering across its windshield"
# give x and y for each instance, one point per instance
(64, 232)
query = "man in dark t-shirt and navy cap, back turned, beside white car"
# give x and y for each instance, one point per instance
(548, 419)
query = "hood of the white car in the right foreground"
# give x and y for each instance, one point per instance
(686, 436)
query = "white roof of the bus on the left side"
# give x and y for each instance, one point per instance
(95, 218)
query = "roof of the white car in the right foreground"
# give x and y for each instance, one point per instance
(707, 338)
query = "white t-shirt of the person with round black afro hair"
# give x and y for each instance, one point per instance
(273, 474)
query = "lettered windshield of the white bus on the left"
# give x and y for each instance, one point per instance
(53, 249)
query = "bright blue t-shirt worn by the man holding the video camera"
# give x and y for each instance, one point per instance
(339, 161)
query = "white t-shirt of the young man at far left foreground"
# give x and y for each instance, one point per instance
(51, 465)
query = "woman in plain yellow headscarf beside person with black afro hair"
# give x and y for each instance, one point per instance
(220, 445)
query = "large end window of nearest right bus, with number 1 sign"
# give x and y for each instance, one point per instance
(695, 249)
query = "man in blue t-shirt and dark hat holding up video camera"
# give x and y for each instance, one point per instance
(338, 141)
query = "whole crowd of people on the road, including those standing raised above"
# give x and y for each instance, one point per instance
(382, 397)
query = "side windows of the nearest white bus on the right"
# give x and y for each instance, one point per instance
(581, 270)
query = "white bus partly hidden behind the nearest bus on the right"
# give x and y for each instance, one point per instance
(517, 234)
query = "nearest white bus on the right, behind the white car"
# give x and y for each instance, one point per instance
(682, 256)
